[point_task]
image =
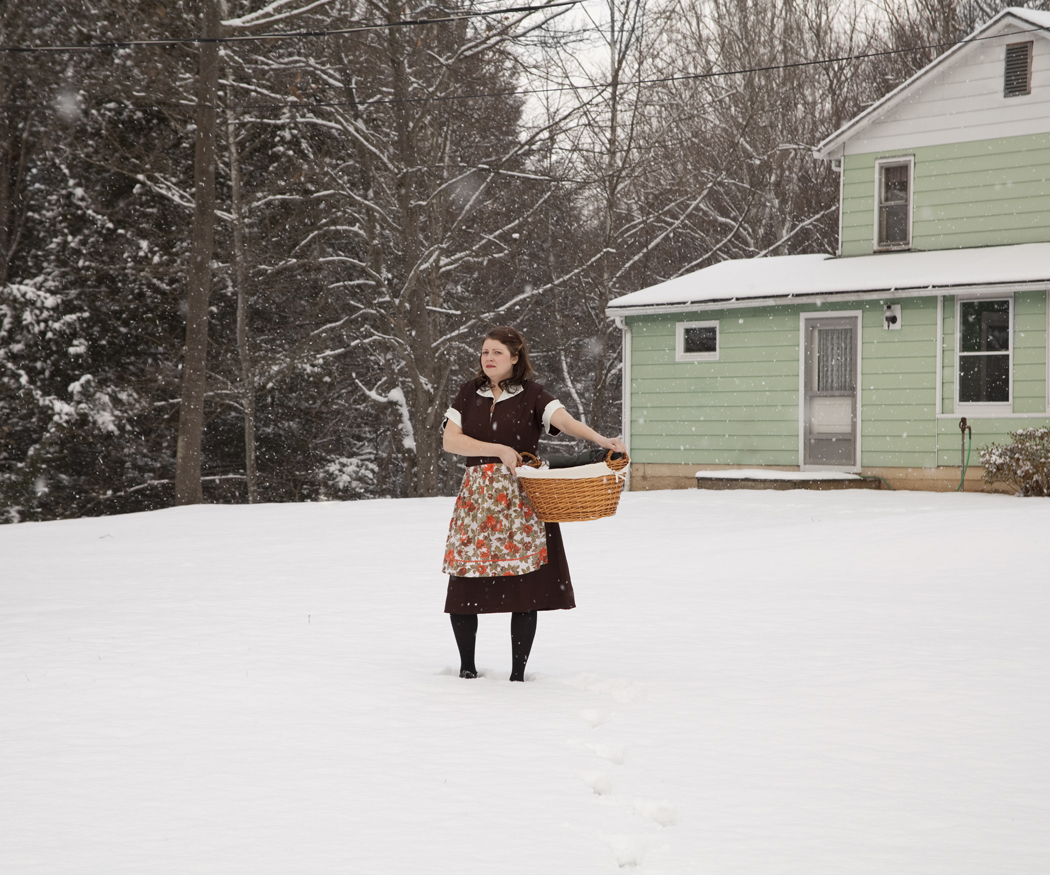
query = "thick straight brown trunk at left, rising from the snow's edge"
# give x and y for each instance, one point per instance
(199, 279)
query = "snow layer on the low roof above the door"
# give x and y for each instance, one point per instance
(806, 276)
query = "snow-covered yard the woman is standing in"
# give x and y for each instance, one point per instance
(754, 682)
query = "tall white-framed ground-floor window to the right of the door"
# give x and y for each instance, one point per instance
(984, 352)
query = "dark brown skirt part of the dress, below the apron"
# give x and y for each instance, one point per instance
(548, 589)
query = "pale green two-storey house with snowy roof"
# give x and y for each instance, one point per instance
(934, 309)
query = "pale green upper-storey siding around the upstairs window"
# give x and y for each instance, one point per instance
(992, 193)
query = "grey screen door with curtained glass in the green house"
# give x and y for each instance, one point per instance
(830, 410)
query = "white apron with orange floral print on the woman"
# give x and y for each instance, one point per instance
(495, 532)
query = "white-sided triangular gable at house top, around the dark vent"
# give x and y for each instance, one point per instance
(959, 98)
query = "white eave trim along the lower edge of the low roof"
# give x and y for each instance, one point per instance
(983, 290)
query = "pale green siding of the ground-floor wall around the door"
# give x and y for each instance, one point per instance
(744, 409)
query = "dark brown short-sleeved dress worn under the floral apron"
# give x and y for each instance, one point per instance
(515, 421)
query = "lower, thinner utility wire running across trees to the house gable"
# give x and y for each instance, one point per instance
(552, 90)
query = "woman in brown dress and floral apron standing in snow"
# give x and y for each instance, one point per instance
(499, 557)
